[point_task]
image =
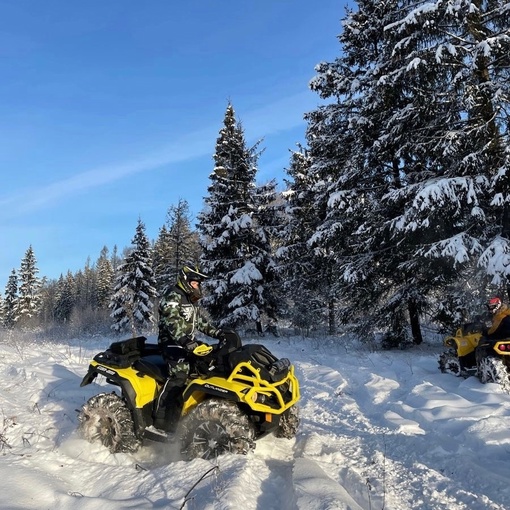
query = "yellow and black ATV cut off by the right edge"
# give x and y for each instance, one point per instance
(470, 353)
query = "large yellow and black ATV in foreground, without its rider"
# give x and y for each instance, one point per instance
(255, 394)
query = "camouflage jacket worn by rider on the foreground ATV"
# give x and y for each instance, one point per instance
(179, 319)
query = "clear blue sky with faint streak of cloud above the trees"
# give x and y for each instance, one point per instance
(110, 110)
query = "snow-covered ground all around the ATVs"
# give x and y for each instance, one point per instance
(379, 430)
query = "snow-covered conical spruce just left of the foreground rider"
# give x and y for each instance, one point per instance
(132, 302)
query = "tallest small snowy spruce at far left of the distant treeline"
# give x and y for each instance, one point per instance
(29, 299)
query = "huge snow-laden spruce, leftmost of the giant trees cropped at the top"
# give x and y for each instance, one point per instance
(356, 145)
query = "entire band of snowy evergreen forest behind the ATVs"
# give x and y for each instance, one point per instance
(394, 214)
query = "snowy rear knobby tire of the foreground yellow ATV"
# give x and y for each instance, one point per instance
(106, 419)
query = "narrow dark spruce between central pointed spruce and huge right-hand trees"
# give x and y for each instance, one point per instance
(297, 265)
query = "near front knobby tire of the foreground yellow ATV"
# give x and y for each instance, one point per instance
(215, 427)
